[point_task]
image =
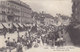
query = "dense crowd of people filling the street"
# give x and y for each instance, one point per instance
(34, 39)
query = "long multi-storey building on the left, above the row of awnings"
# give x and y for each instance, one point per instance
(15, 11)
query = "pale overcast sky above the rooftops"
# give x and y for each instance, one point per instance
(51, 6)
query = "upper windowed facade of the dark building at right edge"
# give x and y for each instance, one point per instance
(76, 10)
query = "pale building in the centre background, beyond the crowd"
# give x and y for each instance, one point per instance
(50, 20)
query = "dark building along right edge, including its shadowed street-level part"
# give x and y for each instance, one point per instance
(74, 28)
